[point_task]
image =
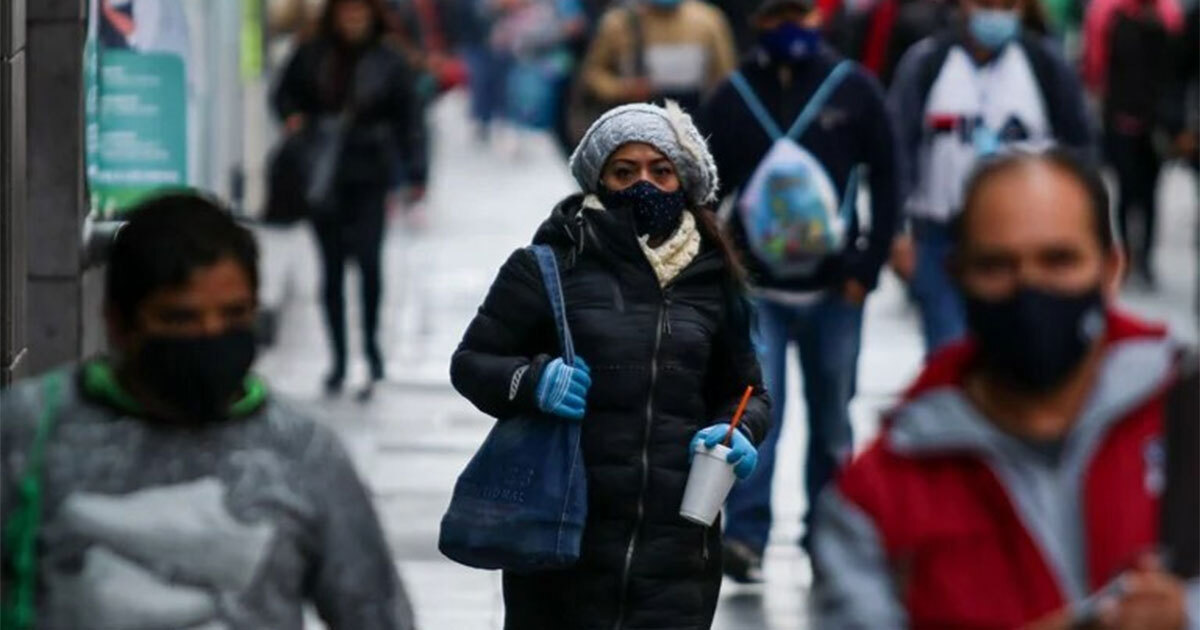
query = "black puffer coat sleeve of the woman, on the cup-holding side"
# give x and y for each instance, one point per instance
(734, 367)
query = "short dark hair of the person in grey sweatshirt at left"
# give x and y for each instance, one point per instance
(165, 241)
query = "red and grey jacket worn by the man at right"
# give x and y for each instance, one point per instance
(946, 523)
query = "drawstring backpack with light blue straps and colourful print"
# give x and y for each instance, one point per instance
(790, 207)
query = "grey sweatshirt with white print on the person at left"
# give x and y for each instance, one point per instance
(226, 526)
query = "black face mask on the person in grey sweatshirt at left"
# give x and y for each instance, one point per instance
(199, 376)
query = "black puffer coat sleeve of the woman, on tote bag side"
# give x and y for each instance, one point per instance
(496, 367)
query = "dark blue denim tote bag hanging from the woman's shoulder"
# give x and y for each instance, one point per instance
(521, 503)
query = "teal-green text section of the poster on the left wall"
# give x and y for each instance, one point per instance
(140, 128)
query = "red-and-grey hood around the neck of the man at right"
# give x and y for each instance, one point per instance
(937, 416)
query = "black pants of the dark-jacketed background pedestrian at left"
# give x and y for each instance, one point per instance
(356, 230)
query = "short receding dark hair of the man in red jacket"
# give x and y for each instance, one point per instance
(1067, 163)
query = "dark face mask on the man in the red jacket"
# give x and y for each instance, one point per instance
(1035, 339)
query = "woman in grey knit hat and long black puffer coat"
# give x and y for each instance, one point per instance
(655, 301)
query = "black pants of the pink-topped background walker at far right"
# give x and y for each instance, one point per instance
(1137, 165)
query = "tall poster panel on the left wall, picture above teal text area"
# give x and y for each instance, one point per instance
(136, 86)
